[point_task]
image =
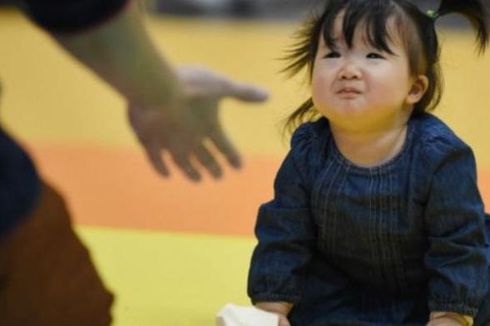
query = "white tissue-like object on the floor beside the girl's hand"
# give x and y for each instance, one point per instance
(234, 315)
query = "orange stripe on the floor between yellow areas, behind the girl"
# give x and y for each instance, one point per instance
(118, 188)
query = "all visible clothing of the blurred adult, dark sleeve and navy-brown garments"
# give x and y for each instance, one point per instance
(46, 275)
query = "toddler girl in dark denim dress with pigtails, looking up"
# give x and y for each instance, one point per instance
(376, 218)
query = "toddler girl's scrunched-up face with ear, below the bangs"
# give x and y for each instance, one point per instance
(361, 87)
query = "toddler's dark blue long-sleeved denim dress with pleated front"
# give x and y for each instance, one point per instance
(384, 245)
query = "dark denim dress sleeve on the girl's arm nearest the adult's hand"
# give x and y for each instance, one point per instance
(285, 235)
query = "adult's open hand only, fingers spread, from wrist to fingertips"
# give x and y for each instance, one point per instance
(189, 130)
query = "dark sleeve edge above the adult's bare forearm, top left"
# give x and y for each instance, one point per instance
(68, 16)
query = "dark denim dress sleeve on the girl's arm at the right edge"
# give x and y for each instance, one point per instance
(455, 223)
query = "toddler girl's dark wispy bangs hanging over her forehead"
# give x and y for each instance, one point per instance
(372, 16)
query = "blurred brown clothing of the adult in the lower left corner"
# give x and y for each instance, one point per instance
(46, 275)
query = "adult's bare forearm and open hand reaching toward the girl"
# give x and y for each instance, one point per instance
(172, 111)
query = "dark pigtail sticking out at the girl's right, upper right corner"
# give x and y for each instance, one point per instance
(477, 14)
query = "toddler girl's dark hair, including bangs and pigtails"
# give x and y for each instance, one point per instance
(416, 29)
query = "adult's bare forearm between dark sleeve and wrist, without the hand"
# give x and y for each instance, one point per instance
(121, 53)
